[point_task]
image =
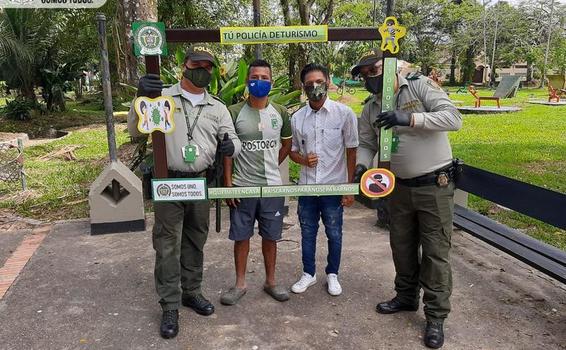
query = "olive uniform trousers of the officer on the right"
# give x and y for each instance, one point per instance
(422, 217)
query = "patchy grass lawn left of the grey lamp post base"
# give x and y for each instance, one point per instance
(57, 188)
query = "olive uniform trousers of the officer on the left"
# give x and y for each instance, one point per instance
(179, 234)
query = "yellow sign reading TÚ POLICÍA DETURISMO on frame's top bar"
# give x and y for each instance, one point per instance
(273, 35)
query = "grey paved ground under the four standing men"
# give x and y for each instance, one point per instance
(96, 292)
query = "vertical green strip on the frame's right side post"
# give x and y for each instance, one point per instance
(387, 104)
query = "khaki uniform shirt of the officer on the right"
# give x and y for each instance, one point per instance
(423, 148)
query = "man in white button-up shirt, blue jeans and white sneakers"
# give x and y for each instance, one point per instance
(325, 139)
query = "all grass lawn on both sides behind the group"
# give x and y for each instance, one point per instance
(529, 146)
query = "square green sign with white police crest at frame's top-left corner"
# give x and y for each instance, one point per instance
(149, 38)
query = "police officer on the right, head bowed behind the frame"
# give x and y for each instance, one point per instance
(421, 206)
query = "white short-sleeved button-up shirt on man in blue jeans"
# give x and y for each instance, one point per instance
(326, 132)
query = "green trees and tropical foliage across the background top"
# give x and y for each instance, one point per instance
(43, 52)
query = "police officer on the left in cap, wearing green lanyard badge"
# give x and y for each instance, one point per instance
(181, 228)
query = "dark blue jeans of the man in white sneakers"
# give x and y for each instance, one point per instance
(310, 210)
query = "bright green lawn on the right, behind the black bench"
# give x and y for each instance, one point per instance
(529, 146)
